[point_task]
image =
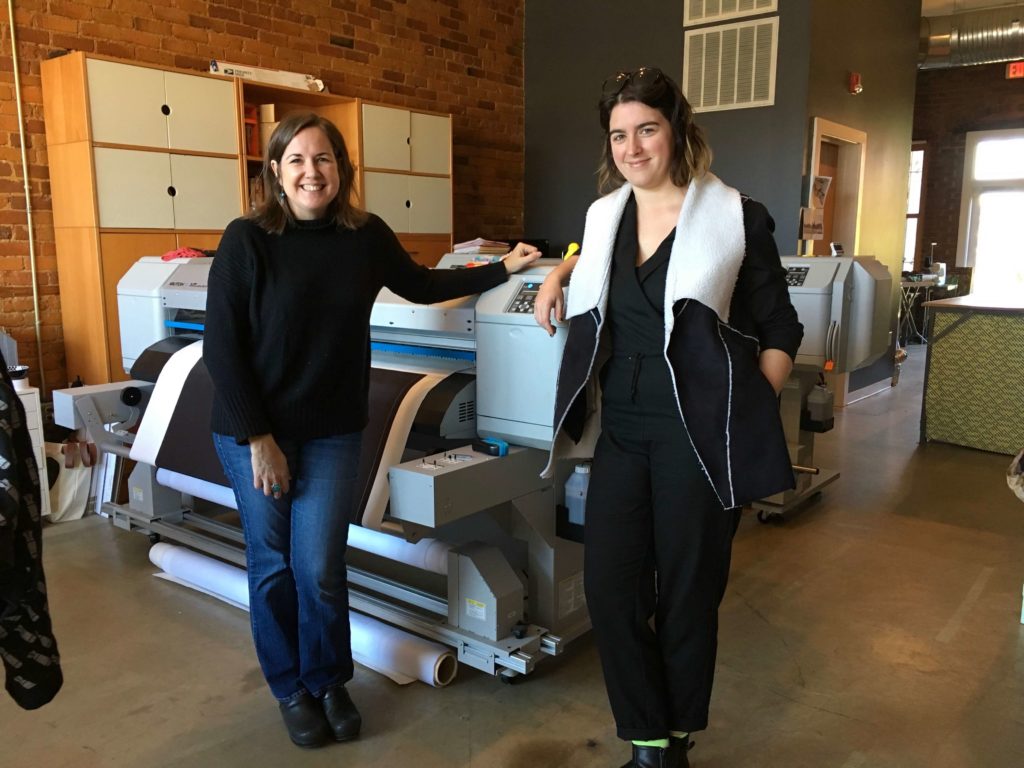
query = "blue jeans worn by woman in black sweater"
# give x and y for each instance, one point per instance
(295, 553)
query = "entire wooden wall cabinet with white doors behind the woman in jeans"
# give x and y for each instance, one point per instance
(145, 160)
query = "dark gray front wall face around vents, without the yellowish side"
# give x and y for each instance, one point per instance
(572, 47)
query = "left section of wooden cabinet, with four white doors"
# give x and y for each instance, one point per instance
(143, 161)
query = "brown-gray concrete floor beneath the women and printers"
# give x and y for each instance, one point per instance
(877, 629)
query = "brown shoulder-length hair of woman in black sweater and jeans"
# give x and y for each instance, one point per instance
(273, 212)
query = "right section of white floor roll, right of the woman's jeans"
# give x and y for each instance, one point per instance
(402, 657)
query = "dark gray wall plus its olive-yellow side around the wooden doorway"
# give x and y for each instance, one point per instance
(572, 47)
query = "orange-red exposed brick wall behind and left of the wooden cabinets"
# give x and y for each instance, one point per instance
(462, 57)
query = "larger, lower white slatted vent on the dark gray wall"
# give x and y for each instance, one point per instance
(732, 66)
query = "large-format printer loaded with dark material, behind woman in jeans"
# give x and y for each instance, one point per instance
(471, 550)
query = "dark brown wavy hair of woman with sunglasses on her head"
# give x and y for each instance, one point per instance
(691, 153)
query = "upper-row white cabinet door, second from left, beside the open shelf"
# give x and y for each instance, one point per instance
(202, 114)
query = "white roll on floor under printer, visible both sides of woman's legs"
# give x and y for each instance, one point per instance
(400, 656)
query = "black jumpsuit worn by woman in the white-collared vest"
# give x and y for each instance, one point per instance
(658, 541)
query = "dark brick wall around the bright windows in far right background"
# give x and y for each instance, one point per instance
(949, 105)
